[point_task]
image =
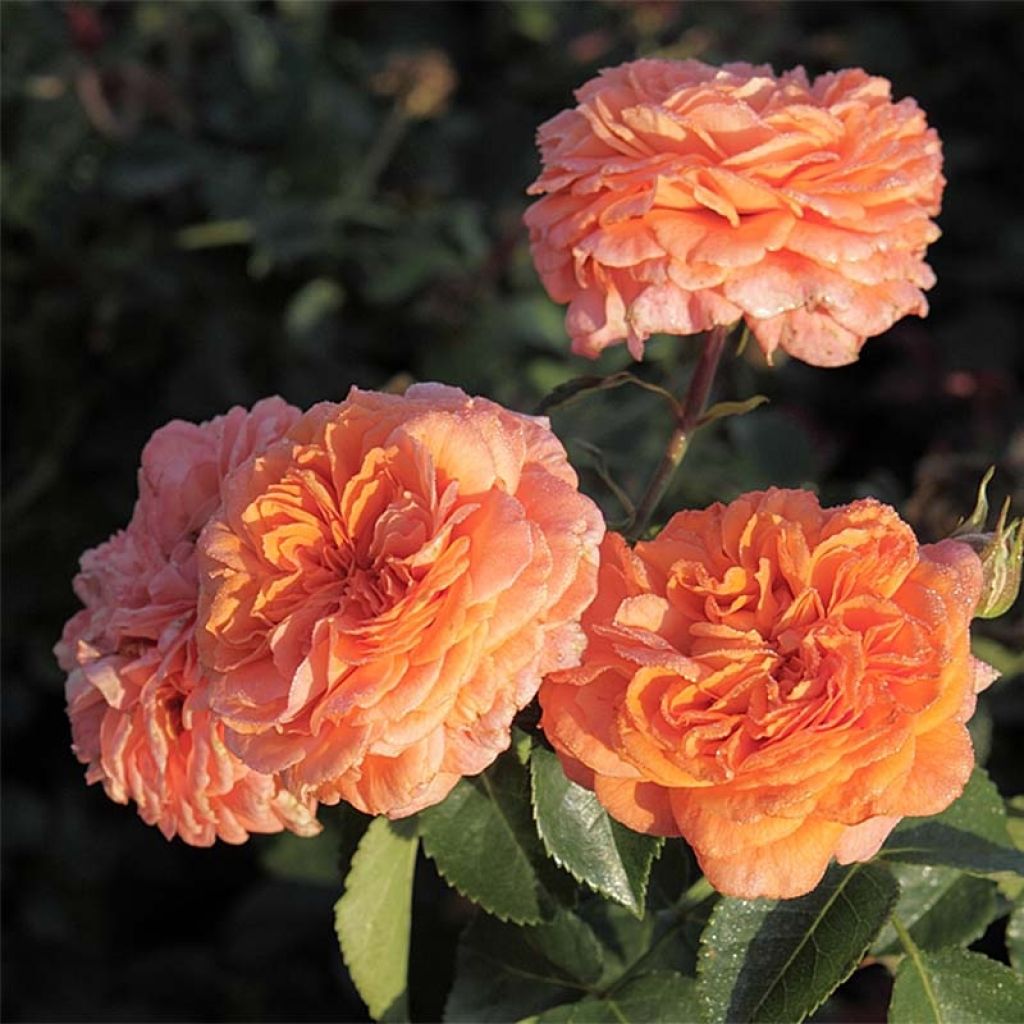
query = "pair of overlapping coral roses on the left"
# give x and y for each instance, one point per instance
(349, 605)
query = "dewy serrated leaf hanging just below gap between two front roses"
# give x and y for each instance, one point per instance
(577, 831)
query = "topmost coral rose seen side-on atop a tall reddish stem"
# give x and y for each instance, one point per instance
(677, 197)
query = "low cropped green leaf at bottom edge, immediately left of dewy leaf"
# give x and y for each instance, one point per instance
(663, 996)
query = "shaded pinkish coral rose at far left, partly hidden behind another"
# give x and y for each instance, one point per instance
(137, 694)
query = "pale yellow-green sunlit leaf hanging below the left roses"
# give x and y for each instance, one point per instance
(374, 917)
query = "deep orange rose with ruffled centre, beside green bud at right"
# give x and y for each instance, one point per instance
(777, 682)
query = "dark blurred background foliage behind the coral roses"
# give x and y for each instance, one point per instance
(205, 203)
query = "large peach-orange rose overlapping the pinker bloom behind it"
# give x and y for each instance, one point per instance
(386, 589)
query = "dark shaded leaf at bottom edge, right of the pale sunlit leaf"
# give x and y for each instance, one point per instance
(505, 972)
